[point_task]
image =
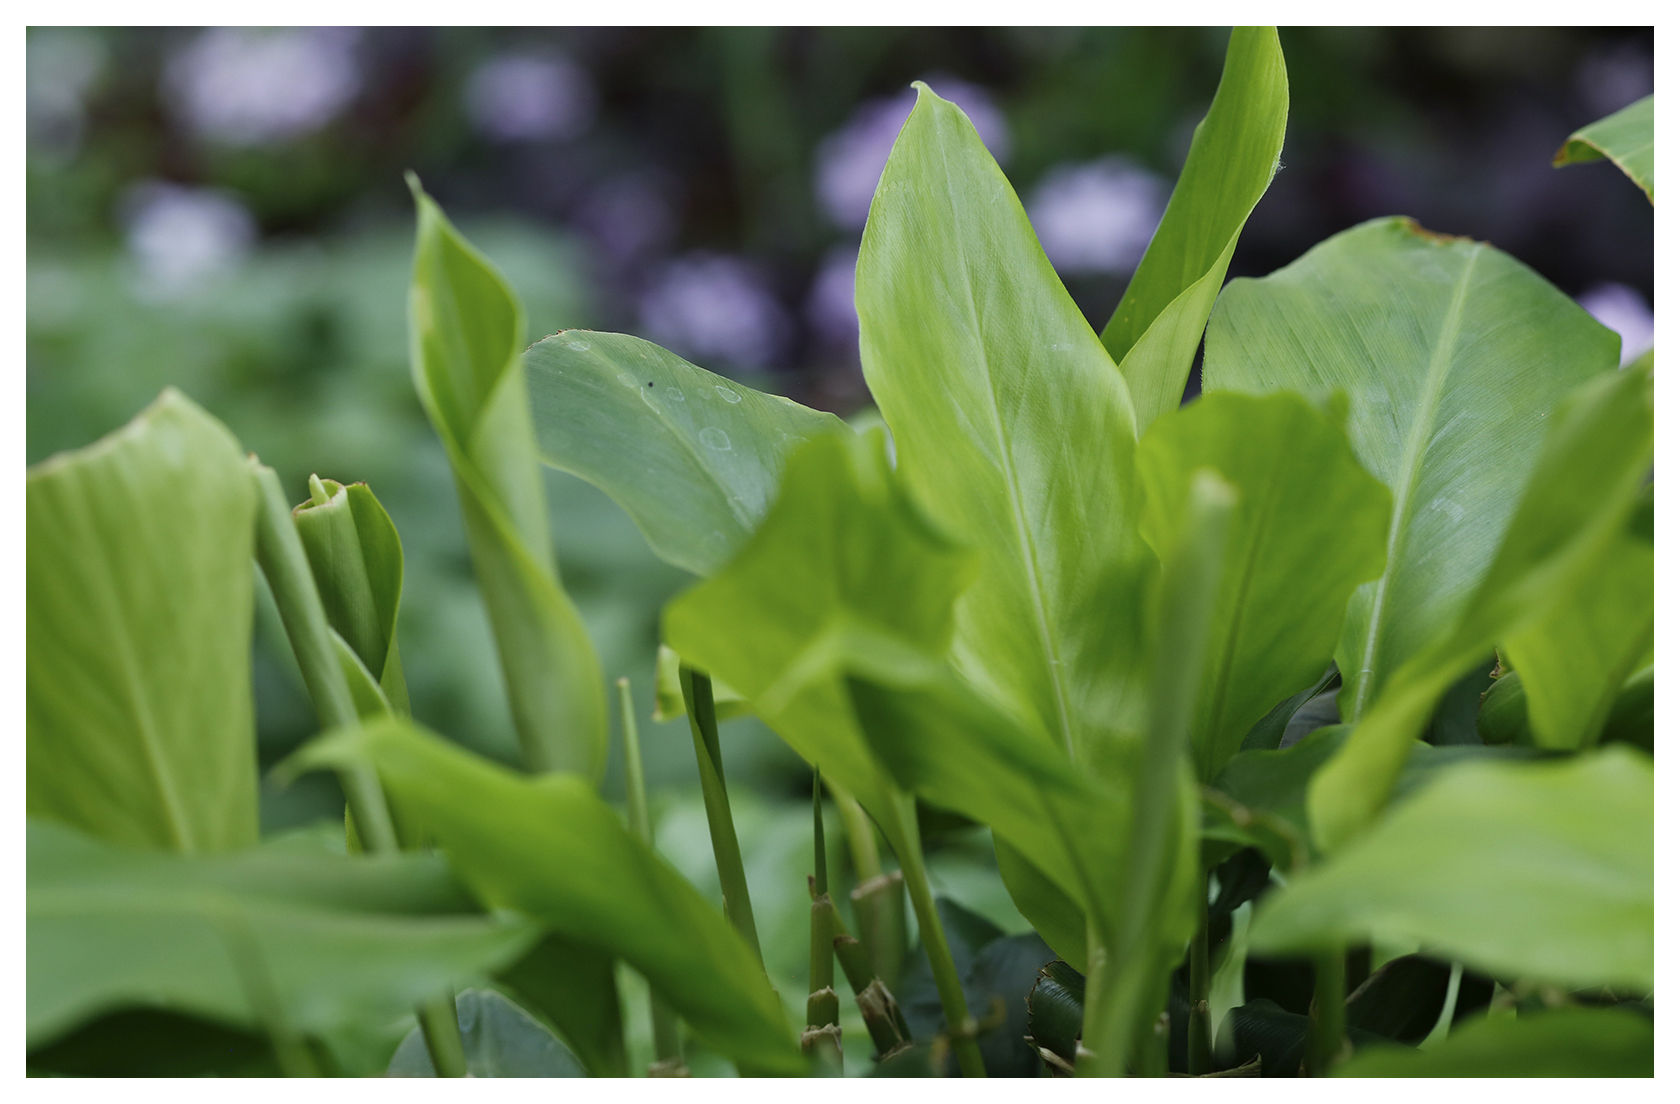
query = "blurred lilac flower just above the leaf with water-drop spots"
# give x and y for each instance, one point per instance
(713, 308)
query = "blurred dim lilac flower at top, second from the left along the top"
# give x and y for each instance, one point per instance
(530, 98)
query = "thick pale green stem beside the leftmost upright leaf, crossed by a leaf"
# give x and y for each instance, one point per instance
(286, 567)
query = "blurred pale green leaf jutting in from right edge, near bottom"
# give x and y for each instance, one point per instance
(1520, 870)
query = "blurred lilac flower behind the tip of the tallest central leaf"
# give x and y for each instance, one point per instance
(849, 162)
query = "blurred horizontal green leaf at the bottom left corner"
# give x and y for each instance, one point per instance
(285, 938)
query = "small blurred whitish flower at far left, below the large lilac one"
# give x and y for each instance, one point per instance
(181, 238)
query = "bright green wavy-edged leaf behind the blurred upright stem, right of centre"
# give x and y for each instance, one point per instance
(1310, 527)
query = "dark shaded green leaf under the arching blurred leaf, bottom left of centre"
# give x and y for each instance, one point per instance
(577, 989)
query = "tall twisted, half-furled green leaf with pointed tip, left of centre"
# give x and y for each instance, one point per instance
(466, 339)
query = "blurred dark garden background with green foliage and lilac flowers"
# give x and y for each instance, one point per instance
(224, 211)
